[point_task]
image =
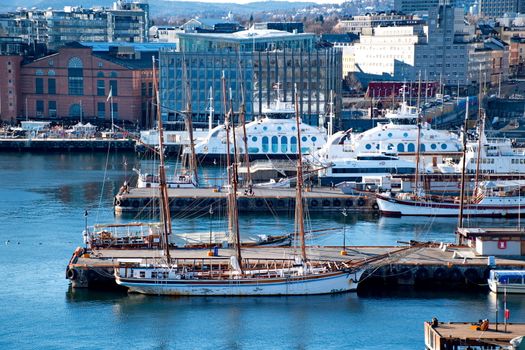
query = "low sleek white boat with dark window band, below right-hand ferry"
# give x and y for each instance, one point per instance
(364, 165)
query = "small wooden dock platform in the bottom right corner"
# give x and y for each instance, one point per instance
(463, 335)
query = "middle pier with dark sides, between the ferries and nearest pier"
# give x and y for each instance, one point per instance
(270, 200)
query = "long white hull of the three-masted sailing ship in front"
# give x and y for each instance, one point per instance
(338, 282)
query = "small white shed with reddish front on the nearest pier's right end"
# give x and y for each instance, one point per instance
(494, 241)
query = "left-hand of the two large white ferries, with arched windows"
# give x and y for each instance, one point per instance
(271, 137)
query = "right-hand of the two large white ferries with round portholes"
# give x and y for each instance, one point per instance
(399, 136)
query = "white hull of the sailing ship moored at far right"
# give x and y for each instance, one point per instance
(509, 207)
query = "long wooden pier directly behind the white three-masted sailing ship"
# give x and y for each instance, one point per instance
(419, 265)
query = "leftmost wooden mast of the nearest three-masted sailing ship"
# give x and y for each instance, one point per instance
(165, 217)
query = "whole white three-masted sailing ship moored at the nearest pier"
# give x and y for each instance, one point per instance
(298, 276)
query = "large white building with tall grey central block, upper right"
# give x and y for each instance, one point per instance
(445, 50)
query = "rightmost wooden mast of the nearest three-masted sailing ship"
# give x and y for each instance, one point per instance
(299, 209)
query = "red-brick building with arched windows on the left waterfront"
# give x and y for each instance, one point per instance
(75, 82)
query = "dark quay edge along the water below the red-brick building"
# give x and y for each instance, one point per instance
(67, 145)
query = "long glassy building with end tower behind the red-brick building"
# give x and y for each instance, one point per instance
(124, 22)
